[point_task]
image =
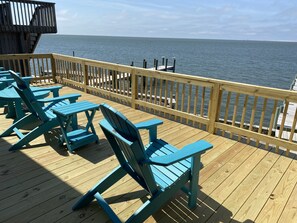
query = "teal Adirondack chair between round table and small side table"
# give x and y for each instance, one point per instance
(43, 116)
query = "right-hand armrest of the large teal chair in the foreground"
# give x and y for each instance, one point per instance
(190, 150)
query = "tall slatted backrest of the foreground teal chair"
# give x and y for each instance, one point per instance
(128, 147)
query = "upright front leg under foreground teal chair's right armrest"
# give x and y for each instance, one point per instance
(193, 189)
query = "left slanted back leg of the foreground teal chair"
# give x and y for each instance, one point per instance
(102, 186)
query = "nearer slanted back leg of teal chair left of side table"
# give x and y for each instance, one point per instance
(33, 134)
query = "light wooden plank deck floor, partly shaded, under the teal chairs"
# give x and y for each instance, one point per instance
(239, 183)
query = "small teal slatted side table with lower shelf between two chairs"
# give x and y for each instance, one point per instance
(79, 137)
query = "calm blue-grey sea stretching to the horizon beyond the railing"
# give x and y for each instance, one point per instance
(272, 64)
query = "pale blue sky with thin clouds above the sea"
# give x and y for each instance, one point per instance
(273, 20)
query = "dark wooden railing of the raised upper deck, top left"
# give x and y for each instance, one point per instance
(27, 16)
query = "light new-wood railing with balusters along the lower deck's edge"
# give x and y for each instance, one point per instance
(240, 111)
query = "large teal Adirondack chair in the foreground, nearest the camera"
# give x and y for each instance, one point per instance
(158, 167)
